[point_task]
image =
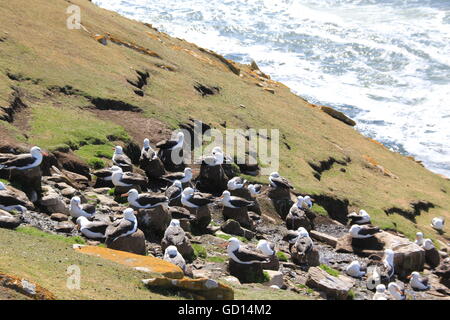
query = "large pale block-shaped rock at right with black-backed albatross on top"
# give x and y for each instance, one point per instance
(408, 256)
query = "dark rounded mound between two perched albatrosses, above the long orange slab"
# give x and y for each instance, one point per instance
(153, 222)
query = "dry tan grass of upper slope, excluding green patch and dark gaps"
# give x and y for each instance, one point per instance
(39, 46)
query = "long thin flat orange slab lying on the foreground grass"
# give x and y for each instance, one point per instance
(144, 263)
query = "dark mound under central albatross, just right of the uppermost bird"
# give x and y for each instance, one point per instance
(212, 179)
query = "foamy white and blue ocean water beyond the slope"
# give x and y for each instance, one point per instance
(384, 63)
